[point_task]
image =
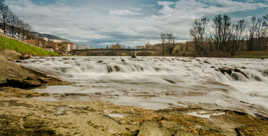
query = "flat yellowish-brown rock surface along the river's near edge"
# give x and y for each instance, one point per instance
(22, 114)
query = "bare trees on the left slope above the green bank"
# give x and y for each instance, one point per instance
(11, 24)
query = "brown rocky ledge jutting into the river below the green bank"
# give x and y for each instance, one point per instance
(13, 75)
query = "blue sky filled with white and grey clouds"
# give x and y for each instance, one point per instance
(129, 22)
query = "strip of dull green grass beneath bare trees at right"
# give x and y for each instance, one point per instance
(252, 54)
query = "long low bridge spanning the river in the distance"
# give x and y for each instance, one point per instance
(114, 52)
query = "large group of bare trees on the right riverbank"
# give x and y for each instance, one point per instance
(222, 34)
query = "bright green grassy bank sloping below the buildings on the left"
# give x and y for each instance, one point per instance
(11, 44)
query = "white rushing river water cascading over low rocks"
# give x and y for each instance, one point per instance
(160, 82)
